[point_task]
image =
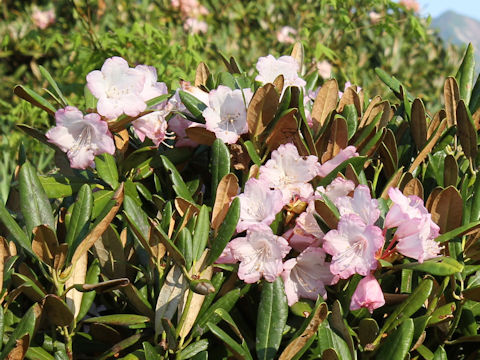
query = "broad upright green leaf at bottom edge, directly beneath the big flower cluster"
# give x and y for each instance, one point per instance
(271, 320)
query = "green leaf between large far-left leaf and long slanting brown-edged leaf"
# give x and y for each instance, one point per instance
(80, 219)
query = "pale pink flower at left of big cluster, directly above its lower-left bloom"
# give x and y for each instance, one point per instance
(258, 205)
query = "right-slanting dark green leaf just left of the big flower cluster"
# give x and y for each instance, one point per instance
(225, 232)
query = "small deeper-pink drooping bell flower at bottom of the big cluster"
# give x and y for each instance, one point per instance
(368, 294)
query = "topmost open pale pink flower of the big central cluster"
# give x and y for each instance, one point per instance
(290, 172)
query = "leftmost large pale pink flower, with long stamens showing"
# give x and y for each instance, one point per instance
(81, 137)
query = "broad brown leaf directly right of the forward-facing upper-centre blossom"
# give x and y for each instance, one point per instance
(262, 108)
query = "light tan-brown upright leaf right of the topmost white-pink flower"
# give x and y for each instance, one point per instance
(325, 103)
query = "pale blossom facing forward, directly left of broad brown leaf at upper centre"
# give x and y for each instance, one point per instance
(226, 114)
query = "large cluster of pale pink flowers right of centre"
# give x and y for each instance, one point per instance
(304, 256)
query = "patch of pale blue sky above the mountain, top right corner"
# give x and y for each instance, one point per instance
(436, 7)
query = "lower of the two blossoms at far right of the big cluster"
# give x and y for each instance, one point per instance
(416, 238)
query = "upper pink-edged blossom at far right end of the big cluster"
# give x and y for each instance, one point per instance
(403, 209)
